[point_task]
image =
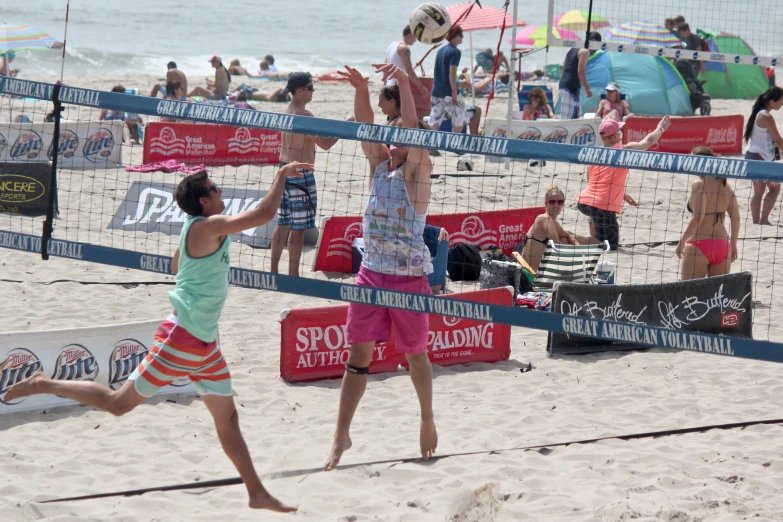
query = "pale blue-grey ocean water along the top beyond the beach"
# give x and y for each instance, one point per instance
(108, 37)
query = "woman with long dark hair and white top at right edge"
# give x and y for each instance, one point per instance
(764, 144)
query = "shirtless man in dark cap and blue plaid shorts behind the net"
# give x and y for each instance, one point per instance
(297, 209)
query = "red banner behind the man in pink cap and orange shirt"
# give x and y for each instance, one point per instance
(723, 134)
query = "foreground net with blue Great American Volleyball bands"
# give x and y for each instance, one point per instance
(111, 210)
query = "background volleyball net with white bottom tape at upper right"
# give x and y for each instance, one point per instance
(731, 32)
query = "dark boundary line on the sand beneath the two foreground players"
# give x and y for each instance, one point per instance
(310, 471)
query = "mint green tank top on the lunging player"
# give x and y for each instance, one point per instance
(202, 287)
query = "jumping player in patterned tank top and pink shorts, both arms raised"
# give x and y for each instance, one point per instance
(396, 258)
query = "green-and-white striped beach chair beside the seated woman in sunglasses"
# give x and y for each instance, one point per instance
(569, 263)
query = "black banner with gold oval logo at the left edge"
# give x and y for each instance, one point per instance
(24, 188)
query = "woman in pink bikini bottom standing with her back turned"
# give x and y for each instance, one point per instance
(705, 248)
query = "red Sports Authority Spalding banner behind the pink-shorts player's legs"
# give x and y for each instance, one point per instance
(313, 344)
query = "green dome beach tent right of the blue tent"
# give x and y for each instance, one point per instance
(734, 81)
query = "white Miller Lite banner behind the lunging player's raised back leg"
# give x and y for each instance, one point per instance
(104, 354)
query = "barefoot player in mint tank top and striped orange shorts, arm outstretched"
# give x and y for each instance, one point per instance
(186, 343)
